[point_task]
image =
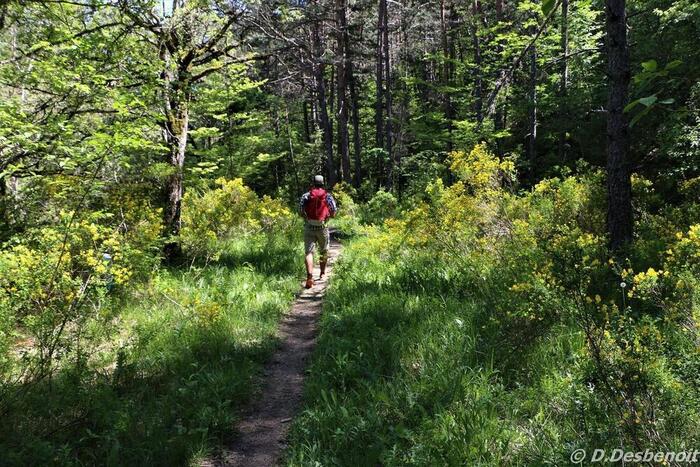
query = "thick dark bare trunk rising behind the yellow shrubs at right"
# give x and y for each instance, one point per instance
(618, 172)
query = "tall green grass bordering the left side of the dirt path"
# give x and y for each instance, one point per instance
(179, 358)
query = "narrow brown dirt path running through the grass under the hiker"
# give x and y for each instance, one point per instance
(262, 431)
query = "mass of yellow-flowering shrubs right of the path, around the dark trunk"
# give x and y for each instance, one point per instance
(539, 262)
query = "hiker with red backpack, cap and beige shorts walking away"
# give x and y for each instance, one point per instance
(316, 207)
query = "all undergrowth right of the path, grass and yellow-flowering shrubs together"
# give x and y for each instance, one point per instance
(487, 327)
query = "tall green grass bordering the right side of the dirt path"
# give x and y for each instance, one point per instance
(407, 373)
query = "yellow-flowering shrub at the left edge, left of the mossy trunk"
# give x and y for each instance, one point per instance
(54, 282)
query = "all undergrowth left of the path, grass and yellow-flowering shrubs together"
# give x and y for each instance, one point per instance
(104, 357)
